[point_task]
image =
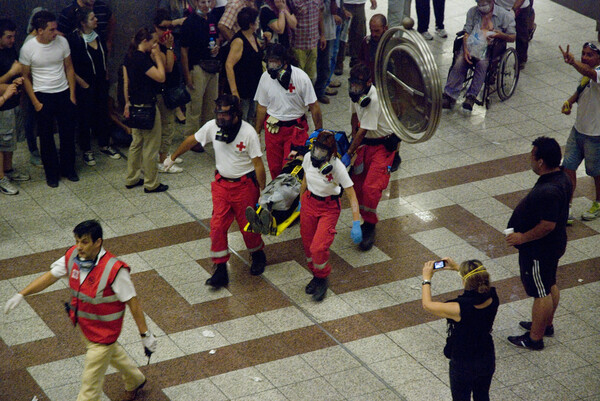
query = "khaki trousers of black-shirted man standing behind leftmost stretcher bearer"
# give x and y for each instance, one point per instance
(202, 107)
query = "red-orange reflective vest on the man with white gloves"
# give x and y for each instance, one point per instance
(94, 305)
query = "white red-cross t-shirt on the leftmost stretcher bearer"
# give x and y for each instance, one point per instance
(234, 159)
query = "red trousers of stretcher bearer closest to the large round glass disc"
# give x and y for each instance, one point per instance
(371, 179)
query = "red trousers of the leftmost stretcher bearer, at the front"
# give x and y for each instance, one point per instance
(230, 200)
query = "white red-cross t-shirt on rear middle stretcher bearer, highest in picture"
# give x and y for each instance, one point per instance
(286, 104)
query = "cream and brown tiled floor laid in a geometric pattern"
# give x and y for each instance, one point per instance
(262, 338)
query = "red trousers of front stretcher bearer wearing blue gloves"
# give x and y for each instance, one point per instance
(318, 219)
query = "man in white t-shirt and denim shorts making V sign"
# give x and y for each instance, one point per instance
(584, 140)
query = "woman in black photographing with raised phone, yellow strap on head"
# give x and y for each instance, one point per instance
(470, 316)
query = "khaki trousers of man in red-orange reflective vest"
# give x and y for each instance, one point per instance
(97, 359)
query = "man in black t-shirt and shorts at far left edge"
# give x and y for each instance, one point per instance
(10, 71)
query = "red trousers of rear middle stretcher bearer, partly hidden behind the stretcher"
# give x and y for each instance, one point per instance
(279, 145)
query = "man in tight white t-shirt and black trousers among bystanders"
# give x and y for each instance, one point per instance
(50, 84)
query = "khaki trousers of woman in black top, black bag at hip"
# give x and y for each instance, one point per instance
(142, 155)
